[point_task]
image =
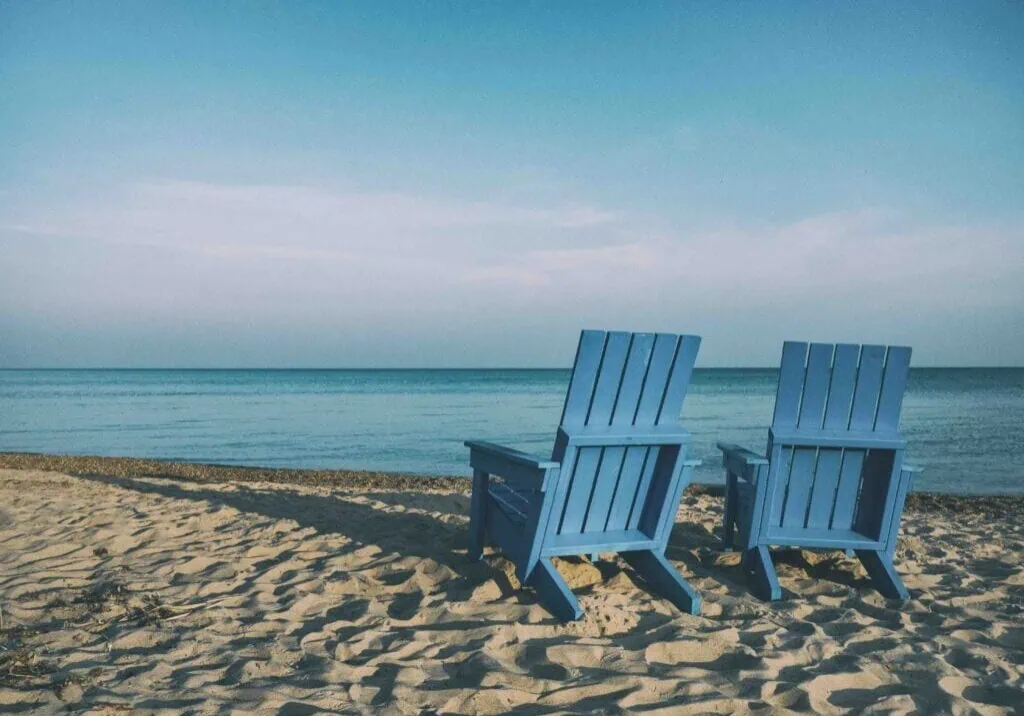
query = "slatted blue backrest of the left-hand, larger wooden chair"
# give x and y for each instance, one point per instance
(629, 381)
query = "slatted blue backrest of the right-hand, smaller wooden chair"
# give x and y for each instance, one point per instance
(835, 442)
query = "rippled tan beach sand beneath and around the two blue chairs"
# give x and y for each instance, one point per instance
(217, 591)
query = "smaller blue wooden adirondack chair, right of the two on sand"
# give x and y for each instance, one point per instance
(834, 477)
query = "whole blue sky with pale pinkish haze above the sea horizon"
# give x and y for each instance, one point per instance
(471, 185)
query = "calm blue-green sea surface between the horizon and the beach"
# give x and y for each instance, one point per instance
(965, 426)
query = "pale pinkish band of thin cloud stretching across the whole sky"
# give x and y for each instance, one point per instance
(277, 245)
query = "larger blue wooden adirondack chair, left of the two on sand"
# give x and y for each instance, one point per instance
(615, 478)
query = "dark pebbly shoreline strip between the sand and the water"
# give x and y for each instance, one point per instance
(372, 480)
